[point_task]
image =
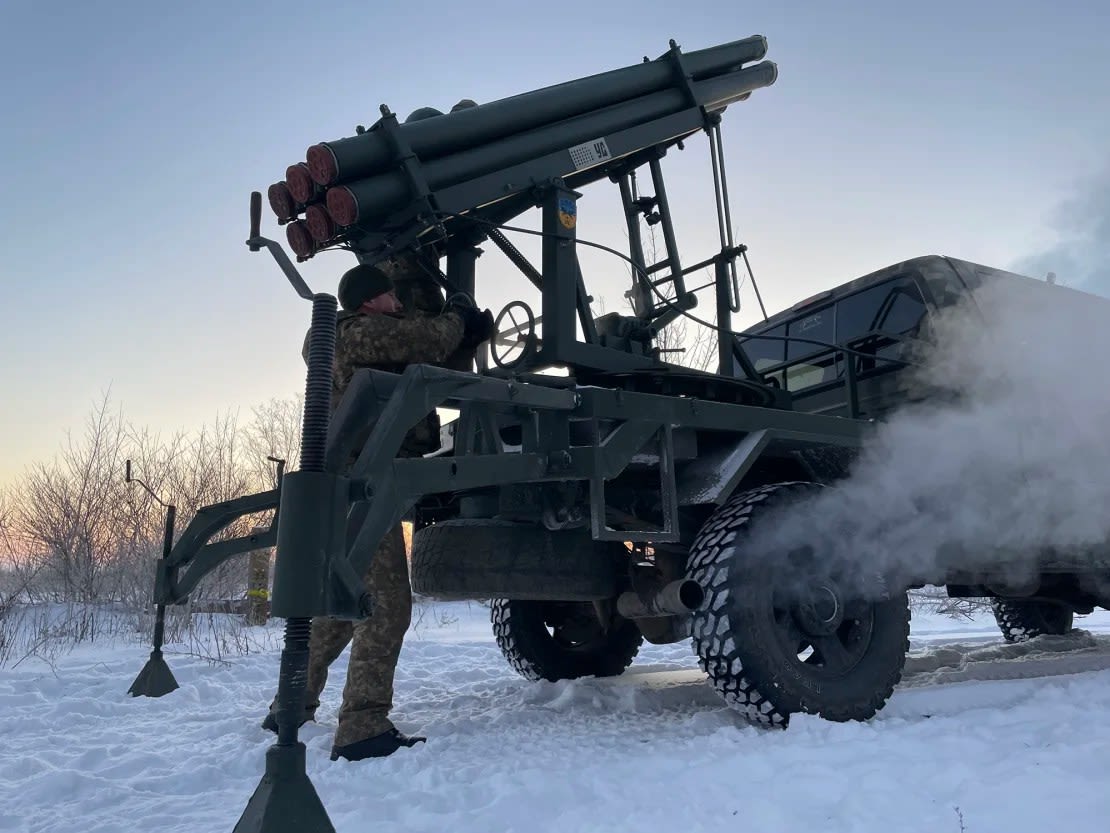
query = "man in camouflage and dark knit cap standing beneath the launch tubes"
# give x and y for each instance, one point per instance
(376, 330)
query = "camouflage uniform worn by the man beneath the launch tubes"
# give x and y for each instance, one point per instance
(423, 334)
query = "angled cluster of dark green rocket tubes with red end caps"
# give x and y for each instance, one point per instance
(365, 183)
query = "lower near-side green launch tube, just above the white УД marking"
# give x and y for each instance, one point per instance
(380, 196)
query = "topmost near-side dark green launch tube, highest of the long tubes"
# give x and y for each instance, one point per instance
(362, 156)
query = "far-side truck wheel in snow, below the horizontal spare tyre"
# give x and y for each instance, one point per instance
(561, 640)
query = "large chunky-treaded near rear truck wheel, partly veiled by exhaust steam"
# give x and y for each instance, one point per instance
(771, 654)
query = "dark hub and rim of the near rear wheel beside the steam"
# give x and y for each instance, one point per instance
(822, 633)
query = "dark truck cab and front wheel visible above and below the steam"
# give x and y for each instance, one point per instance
(889, 318)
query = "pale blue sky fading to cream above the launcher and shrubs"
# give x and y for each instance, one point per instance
(133, 134)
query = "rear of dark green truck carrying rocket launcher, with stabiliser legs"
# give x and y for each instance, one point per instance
(598, 493)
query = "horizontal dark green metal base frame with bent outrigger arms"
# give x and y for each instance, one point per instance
(381, 487)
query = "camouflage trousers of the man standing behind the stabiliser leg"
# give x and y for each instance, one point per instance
(376, 645)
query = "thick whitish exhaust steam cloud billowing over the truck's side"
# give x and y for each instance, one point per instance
(1016, 463)
